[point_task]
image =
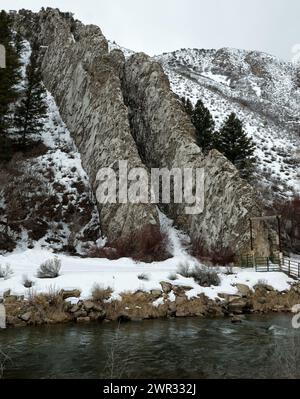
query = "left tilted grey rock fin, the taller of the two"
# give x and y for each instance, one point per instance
(84, 80)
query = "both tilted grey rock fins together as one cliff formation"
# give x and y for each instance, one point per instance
(125, 110)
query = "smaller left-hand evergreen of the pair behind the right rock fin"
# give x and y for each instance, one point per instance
(204, 124)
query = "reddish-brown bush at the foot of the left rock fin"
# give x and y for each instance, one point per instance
(145, 245)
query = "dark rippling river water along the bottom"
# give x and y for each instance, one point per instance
(260, 347)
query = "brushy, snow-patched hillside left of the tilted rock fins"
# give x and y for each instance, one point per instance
(47, 192)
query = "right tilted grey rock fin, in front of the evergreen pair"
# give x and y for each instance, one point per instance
(165, 137)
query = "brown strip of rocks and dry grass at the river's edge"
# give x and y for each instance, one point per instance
(170, 301)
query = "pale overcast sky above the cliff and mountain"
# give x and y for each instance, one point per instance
(156, 26)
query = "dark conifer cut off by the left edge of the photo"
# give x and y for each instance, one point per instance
(9, 78)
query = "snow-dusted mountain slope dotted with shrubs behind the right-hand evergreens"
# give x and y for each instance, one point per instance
(263, 91)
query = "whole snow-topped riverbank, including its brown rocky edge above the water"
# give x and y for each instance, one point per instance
(86, 290)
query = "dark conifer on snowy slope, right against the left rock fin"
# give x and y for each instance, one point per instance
(32, 108)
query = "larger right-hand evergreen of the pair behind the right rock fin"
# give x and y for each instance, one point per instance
(233, 142)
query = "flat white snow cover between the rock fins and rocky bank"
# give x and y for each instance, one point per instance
(122, 275)
